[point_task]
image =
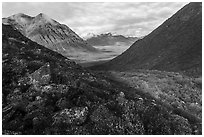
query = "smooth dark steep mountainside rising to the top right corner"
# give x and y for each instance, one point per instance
(176, 45)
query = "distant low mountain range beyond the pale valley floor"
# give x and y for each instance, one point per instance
(109, 39)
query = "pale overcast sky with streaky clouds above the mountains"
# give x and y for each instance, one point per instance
(129, 19)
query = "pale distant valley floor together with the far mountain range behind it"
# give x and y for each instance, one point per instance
(108, 45)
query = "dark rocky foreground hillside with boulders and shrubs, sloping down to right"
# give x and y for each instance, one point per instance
(46, 93)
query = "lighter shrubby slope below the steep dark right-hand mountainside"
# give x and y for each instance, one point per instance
(176, 90)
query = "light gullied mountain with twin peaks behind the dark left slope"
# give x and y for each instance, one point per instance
(49, 33)
